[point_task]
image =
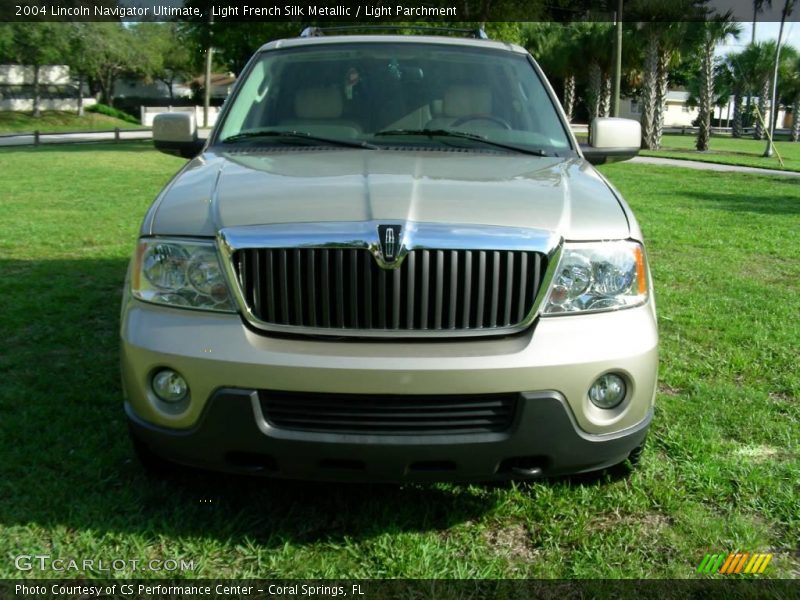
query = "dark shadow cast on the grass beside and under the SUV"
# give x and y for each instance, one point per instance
(66, 459)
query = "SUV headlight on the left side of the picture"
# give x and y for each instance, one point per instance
(180, 273)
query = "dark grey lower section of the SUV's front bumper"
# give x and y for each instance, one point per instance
(234, 436)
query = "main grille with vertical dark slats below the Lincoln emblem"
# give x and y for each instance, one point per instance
(345, 289)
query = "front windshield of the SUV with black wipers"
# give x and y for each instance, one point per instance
(381, 95)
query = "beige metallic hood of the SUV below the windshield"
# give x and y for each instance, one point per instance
(268, 186)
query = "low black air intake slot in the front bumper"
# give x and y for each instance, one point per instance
(388, 414)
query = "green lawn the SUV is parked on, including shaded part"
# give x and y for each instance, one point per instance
(720, 472)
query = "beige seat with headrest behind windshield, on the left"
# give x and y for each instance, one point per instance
(319, 109)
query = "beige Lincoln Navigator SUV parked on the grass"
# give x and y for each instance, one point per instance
(390, 261)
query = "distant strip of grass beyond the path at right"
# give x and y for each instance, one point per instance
(745, 152)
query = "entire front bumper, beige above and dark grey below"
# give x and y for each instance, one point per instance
(550, 366)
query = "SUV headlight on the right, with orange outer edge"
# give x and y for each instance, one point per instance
(598, 276)
